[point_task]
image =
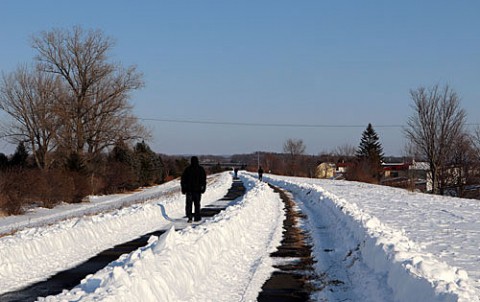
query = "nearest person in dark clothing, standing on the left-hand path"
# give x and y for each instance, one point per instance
(194, 184)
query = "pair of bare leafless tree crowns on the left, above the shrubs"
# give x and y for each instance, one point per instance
(72, 102)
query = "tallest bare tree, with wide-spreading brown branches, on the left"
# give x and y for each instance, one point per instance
(94, 108)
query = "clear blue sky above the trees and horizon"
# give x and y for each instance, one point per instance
(343, 64)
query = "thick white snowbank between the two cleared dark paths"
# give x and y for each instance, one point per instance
(224, 259)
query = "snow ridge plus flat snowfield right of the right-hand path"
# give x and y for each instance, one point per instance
(425, 247)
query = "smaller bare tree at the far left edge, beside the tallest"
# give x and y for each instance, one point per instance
(29, 98)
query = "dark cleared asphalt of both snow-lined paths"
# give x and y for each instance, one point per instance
(291, 281)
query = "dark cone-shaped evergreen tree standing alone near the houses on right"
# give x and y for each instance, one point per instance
(370, 152)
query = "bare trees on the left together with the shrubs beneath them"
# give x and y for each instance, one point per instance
(69, 114)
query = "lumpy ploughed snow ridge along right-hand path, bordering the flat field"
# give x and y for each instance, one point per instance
(412, 273)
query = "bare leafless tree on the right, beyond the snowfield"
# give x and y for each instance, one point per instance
(434, 128)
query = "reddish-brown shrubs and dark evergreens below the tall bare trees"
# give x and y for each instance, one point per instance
(121, 169)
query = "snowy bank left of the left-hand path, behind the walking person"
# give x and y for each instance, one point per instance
(58, 243)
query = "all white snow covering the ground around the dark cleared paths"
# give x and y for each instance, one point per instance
(371, 243)
